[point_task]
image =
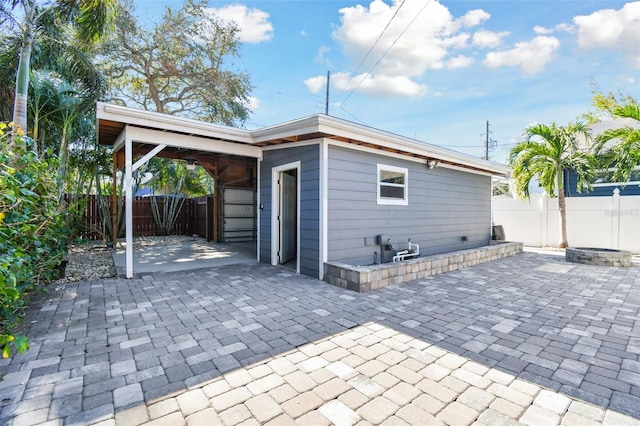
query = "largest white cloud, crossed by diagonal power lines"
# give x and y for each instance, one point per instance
(423, 36)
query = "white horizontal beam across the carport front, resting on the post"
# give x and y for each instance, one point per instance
(157, 137)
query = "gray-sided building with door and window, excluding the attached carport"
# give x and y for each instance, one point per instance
(332, 187)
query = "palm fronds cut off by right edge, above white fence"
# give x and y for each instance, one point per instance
(625, 154)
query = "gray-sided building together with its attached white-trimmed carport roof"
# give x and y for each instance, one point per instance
(327, 189)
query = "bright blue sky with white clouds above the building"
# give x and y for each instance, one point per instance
(441, 69)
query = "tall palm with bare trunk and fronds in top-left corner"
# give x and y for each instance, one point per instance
(90, 18)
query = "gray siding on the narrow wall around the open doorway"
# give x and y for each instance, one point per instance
(309, 204)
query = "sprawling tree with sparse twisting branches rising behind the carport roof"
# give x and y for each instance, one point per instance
(181, 65)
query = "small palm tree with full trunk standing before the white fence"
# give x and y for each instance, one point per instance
(545, 154)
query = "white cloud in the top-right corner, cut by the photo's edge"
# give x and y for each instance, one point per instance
(611, 29)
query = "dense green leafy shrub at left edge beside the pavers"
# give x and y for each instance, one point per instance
(32, 231)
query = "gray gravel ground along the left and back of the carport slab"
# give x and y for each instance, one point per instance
(93, 260)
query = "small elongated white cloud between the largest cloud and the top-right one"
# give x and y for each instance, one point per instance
(531, 56)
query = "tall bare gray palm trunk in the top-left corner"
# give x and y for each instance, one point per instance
(24, 67)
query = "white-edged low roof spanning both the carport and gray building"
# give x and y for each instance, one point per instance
(113, 119)
